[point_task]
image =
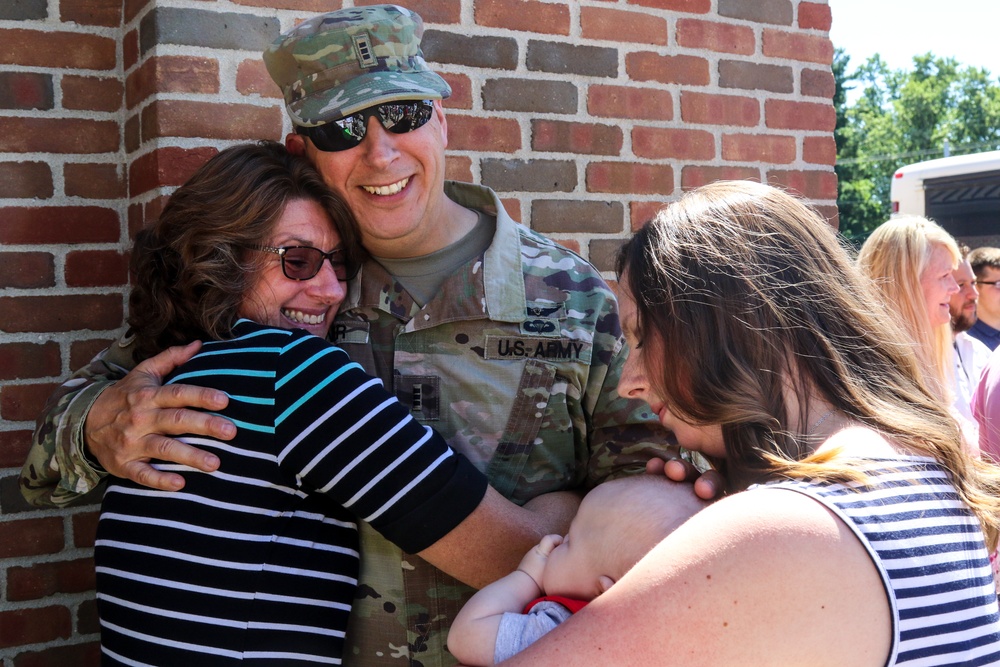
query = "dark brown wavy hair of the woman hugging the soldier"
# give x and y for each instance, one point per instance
(192, 268)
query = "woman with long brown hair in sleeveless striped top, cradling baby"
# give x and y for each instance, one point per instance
(859, 529)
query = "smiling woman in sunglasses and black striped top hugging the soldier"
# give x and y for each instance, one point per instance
(257, 561)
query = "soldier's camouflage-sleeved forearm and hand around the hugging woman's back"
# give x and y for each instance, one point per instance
(120, 421)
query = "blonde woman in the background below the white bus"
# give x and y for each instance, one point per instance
(912, 260)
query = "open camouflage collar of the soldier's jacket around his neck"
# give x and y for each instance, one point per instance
(491, 286)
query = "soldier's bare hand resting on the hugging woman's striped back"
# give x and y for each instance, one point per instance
(131, 421)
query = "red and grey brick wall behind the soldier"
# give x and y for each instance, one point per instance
(585, 116)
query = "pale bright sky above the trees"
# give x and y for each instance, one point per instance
(968, 30)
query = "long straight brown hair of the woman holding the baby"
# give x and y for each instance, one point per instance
(744, 296)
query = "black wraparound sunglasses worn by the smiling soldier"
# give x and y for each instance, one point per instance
(347, 132)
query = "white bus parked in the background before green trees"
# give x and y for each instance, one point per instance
(961, 193)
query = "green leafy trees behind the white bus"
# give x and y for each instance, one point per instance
(901, 117)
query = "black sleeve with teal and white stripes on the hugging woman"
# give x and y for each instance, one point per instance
(349, 438)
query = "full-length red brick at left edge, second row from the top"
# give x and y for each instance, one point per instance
(68, 50)
